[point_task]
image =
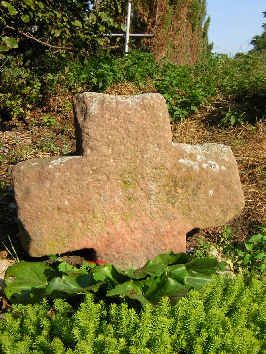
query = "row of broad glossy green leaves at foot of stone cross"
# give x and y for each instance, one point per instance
(168, 274)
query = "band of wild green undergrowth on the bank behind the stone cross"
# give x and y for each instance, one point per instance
(185, 88)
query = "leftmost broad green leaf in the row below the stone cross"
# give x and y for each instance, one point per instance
(22, 278)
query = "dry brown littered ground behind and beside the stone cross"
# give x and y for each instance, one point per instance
(50, 131)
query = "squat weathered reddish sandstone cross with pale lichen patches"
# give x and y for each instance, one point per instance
(130, 194)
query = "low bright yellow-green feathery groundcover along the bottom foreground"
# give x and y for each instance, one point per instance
(220, 318)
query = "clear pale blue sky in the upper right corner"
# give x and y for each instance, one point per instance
(234, 23)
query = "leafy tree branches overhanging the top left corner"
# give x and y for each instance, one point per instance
(78, 26)
